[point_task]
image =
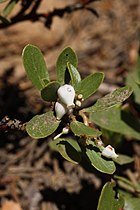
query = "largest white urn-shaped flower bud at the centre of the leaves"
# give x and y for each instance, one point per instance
(66, 94)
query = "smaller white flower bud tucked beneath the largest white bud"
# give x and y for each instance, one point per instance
(60, 110)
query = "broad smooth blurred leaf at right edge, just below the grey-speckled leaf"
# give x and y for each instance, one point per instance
(117, 121)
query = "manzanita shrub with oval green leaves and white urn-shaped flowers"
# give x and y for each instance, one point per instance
(72, 126)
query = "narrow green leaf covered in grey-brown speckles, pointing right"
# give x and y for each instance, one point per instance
(111, 99)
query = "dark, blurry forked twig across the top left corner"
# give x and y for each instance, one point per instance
(34, 16)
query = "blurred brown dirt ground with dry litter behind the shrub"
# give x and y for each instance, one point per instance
(30, 172)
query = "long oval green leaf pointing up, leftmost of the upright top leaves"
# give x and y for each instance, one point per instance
(35, 66)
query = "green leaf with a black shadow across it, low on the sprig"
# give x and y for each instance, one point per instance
(68, 148)
